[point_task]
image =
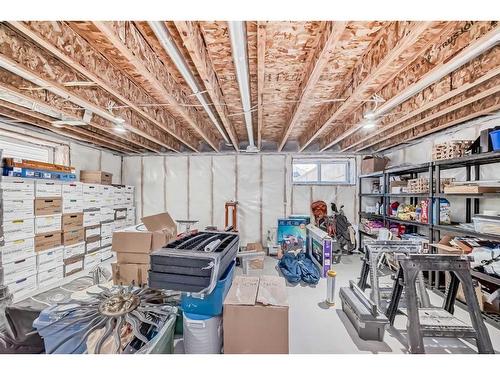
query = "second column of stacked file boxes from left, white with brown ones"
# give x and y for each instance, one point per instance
(48, 225)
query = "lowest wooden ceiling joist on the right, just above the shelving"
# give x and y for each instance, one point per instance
(460, 115)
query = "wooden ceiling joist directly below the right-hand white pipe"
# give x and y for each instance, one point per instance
(478, 72)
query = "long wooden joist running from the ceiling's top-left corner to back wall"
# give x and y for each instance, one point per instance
(64, 43)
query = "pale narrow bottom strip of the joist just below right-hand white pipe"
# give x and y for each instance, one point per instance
(367, 140)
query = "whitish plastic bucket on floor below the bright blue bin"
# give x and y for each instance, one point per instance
(202, 334)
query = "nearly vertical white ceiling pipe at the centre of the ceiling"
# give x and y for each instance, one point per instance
(237, 32)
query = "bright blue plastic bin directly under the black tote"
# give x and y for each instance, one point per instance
(212, 303)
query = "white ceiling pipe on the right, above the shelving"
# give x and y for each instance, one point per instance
(463, 58)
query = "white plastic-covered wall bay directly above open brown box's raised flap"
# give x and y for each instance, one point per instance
(153, 185)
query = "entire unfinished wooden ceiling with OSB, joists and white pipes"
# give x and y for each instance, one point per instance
(173, 86)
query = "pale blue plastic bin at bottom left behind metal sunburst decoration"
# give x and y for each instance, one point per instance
(54, 334)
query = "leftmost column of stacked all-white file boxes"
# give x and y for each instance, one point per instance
(17, 255)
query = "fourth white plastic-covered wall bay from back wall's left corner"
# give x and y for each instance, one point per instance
(200, 190)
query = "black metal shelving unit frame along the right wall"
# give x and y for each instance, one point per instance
(472, 165)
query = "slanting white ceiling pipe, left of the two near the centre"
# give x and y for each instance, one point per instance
(164, 37)
